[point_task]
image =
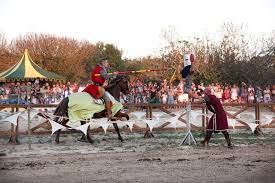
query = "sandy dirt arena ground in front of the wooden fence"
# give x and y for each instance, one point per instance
(158, 159)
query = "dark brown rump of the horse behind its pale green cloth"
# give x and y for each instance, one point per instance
(62, 111)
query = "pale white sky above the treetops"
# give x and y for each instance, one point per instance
(134, 26)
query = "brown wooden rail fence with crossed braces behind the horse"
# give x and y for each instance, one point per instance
(14, 132)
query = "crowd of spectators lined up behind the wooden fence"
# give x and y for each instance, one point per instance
(160, 92)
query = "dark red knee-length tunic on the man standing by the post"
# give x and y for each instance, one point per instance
(218, 121)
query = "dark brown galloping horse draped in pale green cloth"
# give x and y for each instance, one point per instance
(120, 84)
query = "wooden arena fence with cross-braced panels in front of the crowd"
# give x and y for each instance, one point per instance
(149, 109)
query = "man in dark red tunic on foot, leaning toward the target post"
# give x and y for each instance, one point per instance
(218, 122)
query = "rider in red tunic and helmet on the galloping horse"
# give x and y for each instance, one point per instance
(96, 89)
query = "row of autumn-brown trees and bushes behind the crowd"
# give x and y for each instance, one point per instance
(231, 57)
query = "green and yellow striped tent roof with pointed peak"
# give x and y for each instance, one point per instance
(27, 69)
